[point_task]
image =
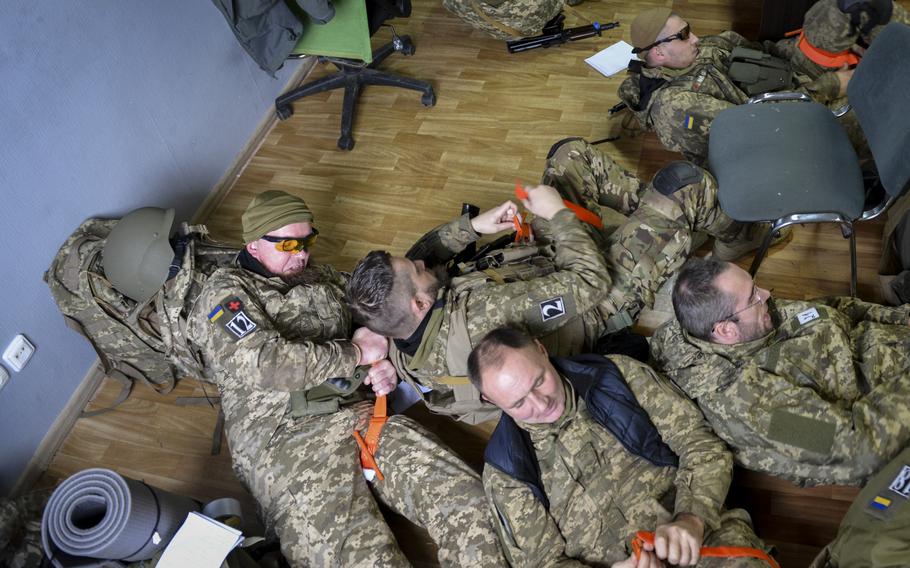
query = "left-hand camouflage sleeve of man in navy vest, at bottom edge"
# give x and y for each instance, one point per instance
(528, 534)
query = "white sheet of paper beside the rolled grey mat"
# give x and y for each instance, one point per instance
(201, 542)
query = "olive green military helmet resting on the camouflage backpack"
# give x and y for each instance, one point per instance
(137, 254)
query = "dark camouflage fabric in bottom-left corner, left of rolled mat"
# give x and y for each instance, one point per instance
(20, 530)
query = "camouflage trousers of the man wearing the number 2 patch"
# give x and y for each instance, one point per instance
(656, 239)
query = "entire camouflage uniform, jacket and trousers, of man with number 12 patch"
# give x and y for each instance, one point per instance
(305, 473)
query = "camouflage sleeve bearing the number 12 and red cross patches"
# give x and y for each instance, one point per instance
(262, 355)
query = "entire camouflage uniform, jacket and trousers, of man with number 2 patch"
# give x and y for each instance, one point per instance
(599, 286)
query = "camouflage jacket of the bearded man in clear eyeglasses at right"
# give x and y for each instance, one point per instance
(823, 399)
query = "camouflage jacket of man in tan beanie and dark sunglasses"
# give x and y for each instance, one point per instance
(681, 109)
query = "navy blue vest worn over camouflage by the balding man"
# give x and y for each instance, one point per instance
(609, 400)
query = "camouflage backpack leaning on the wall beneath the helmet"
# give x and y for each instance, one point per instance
(135, 342)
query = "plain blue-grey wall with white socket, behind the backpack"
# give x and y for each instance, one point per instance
(105, 106)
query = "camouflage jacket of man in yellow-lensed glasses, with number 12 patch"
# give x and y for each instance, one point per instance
(264, 338)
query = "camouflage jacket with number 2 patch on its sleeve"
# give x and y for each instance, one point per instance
(561, 307)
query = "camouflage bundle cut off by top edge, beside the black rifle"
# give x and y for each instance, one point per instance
(506, 19)
